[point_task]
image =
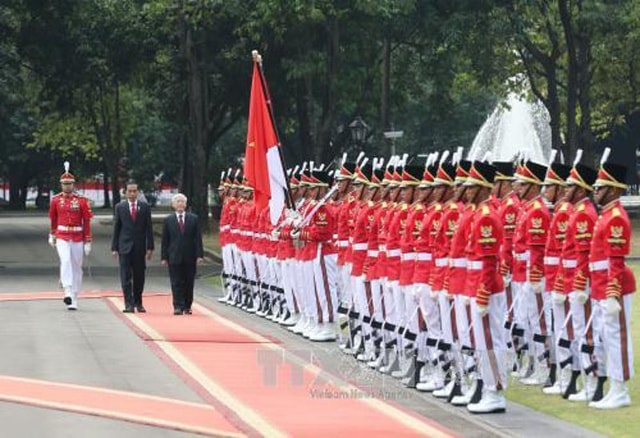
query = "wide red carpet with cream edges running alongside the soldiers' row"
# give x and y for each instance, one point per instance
(229, 362)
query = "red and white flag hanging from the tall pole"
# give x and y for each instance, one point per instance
(263, 165)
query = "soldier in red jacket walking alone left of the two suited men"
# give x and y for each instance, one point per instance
(70, 233)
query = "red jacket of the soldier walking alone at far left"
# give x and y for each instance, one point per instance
(70, 216)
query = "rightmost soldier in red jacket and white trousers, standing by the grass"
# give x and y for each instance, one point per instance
(612, 282)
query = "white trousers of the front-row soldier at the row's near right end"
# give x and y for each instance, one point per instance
(491, 342)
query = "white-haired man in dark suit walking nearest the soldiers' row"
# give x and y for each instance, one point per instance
(181, 251)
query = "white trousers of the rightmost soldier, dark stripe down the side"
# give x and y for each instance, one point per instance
(617, 342)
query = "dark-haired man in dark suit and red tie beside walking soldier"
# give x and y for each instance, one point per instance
(132, 242)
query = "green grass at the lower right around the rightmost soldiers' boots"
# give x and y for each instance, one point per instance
(623, 422)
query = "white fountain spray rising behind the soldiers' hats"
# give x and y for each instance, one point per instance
(513, 127)
